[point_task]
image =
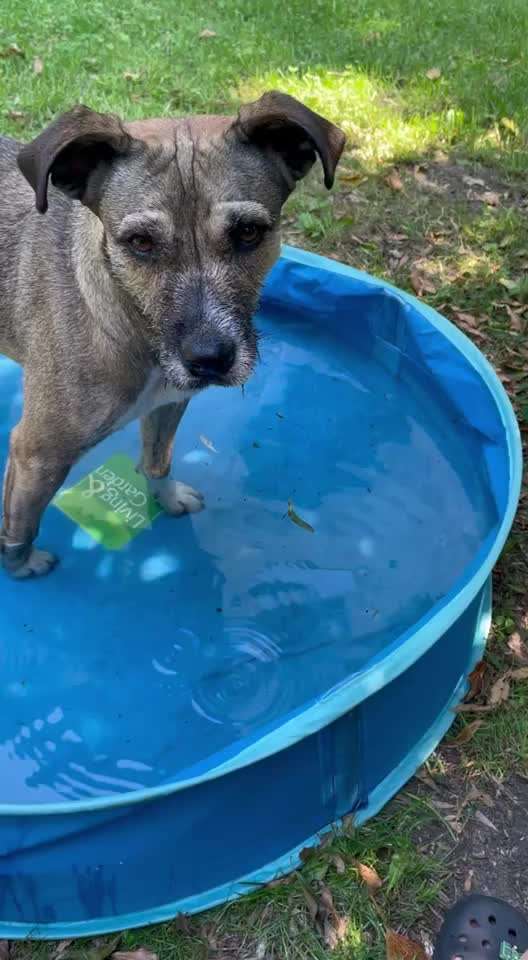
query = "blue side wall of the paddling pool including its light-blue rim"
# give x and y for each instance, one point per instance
(83, 868)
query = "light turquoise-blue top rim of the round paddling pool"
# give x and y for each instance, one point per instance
(356, 688)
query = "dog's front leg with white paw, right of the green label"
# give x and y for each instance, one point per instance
(158, 430)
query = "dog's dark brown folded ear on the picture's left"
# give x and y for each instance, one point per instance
(69, 151)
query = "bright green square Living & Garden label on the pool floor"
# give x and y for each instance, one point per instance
(113, 503)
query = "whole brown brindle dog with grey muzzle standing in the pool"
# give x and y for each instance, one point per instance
(132, 256)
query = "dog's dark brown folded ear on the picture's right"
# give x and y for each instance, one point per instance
(294, 132)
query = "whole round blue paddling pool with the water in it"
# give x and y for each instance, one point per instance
(181, 716)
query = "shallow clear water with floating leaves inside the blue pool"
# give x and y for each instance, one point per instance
(127, 668)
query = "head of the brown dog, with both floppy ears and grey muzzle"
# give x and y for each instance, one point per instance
(190, 215)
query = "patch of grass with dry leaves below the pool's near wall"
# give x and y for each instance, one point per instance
(277, 922)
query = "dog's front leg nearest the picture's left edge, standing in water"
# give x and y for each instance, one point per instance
(34, 473)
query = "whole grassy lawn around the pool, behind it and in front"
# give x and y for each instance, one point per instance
(455, 215)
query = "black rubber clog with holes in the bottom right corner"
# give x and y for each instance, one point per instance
(482, 928)
